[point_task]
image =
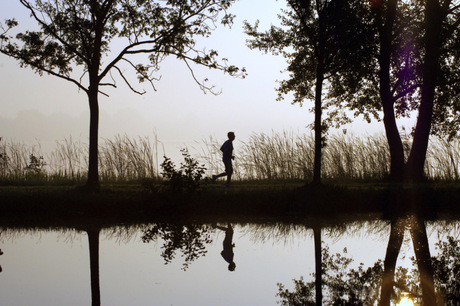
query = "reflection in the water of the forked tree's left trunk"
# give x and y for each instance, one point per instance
(393, 249)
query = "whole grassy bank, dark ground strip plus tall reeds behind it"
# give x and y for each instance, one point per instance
(270, 171)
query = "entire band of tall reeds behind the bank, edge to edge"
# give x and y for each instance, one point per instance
(283, 156)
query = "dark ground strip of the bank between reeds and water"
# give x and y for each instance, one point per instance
(287, 201)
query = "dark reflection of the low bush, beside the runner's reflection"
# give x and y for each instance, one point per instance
(190, 240)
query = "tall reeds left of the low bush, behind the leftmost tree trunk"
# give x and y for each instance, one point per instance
(120, 159)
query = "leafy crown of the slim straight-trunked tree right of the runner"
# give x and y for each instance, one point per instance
(312, 33)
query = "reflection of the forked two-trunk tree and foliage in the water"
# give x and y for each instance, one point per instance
(383, 282)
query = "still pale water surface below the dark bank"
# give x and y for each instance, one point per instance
(162, 264)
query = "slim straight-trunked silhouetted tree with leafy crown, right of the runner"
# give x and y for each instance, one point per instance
(319, 39)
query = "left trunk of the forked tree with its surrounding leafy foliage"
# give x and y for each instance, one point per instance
(386, 80)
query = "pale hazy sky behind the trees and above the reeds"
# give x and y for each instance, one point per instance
(48, 109)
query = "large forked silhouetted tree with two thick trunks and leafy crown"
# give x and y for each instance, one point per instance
(414, 48)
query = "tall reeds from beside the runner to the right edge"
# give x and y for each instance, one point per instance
(346, 157)
